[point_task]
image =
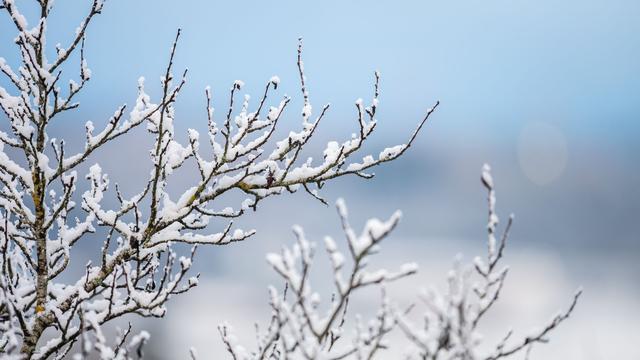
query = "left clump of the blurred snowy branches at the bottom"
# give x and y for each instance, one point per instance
(308, 325)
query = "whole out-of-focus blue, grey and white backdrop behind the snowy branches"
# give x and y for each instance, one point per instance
(545, 91)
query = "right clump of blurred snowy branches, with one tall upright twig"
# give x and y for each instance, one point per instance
(451, 319)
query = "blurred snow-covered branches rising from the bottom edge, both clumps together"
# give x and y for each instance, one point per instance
(306, 324)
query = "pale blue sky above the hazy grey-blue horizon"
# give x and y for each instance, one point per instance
(494, 64)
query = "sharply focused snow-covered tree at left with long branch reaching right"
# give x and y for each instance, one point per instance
(43, 217)
